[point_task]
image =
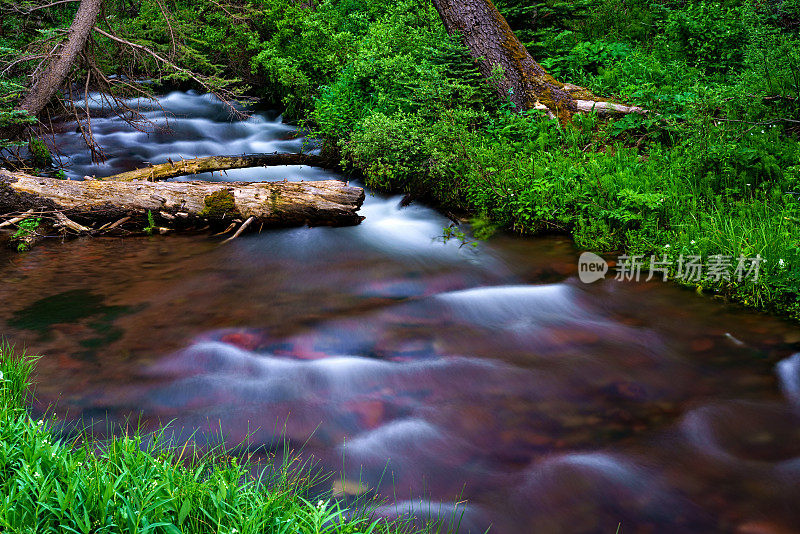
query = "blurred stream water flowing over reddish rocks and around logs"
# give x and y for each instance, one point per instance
(424, 371)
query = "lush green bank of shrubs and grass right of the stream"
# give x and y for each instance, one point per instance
(709, 177)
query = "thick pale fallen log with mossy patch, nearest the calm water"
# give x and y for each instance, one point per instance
(178, 204)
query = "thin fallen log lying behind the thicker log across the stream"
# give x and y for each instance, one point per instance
(185, 167)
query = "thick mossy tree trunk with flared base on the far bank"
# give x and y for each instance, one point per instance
(490, 40)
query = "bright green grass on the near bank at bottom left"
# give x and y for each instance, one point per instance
(121, 485)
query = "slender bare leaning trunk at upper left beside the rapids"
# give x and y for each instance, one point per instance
(58, 68)
